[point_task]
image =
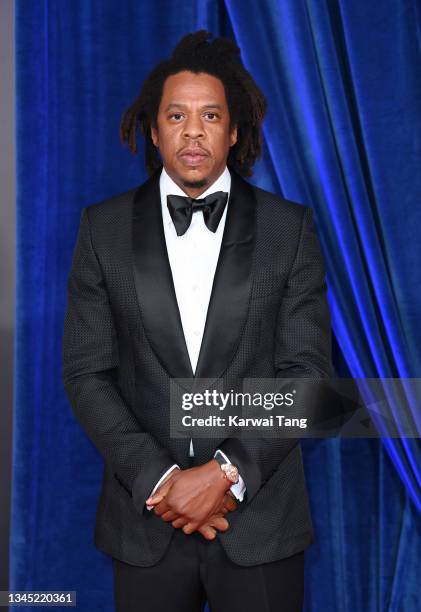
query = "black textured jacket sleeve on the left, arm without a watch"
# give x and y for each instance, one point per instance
(90, 361)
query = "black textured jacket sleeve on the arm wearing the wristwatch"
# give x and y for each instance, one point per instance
(302, 350)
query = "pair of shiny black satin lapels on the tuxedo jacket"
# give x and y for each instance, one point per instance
(228, 306)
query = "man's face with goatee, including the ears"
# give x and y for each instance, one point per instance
(192, 131)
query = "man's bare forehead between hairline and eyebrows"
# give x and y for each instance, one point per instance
(185, 87)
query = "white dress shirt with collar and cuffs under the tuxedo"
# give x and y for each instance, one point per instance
(193, 259)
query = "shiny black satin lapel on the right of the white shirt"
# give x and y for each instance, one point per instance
(228, 306)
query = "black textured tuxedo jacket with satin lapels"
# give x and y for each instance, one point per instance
(123, 342)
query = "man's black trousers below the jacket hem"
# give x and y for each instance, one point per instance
(195, 570)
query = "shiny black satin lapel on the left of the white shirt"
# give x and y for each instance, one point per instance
(154, 282)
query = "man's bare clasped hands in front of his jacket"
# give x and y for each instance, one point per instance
(195, 499)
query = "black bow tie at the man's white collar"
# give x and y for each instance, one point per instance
(182, 208)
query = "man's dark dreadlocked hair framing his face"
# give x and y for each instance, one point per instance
(219, 58)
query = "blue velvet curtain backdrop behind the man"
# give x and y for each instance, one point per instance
(343, 135)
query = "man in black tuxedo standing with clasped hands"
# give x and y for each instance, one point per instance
(195, 273)
